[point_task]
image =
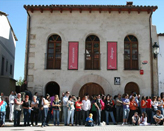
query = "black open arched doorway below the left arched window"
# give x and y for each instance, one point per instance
(52, 88)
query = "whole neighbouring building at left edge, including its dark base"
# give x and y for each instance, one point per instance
(7, 55)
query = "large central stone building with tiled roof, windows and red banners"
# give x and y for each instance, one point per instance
(91, 49)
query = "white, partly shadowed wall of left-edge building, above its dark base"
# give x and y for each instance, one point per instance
(7, 45)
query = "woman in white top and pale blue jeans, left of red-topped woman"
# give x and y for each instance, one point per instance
(71, 108)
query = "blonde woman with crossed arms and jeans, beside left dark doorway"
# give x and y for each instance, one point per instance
(55, 107)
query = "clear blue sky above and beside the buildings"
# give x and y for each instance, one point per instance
(18, 18)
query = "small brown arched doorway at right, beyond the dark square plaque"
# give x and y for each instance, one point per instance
(131, 86)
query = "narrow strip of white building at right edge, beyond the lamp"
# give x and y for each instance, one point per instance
(161, 62)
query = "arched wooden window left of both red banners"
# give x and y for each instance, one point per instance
(54, 52)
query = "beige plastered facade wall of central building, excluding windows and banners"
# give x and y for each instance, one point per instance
(77, 26)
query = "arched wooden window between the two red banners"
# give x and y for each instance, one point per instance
(92, 53)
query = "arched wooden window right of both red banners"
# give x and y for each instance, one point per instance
(130, 53)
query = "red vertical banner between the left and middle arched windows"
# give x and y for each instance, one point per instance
(73, 56)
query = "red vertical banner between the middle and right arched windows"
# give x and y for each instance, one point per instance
(112, 56)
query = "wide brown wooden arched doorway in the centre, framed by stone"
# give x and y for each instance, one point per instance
(91, 89)
